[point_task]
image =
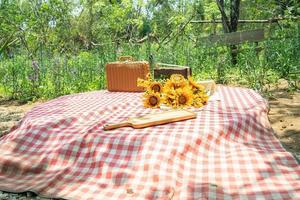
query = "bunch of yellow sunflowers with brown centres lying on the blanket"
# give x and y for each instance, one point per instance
(176, 92)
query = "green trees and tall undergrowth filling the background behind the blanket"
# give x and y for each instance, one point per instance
(50, 48)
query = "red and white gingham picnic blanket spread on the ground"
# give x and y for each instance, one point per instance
(229, 151)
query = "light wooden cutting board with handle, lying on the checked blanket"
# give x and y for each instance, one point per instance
(153, 119)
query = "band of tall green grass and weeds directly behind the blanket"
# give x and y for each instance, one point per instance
(51, 75)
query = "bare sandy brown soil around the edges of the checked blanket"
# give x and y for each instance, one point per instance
(284, 116)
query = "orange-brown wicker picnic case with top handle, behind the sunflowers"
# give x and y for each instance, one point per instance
(122, 75)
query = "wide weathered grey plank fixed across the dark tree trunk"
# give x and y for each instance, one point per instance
(236, 37)
